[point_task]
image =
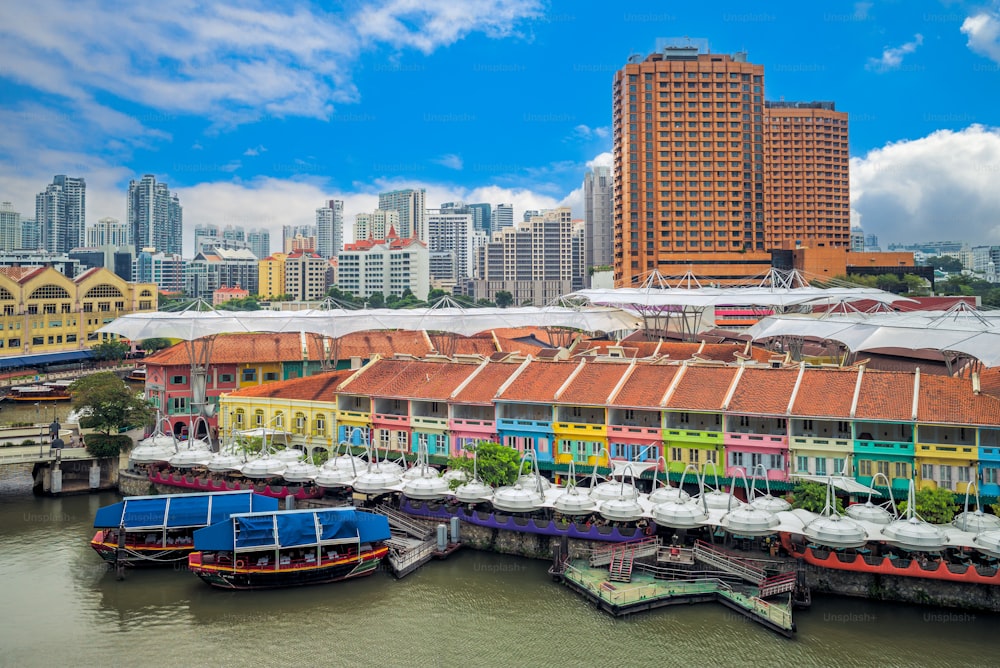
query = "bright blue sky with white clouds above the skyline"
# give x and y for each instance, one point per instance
(257, 112)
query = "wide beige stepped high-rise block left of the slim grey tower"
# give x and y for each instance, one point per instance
(534, 261)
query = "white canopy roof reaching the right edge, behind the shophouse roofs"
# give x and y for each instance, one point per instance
(964, 331)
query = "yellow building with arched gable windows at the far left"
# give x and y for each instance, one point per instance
(50, 317)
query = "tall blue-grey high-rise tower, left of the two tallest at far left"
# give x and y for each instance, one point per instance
(61, 214)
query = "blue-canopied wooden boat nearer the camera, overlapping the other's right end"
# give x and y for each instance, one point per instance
(289, 548)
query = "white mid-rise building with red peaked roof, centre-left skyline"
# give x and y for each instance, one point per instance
(388, 266)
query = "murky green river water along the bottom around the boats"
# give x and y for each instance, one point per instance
(62, 608)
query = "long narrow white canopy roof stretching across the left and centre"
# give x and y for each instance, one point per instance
(191, 325)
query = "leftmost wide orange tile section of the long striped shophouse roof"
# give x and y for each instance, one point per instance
(416, 379)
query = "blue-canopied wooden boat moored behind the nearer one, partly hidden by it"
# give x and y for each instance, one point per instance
(157, 530)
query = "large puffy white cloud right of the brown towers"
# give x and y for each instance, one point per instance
(939, 187)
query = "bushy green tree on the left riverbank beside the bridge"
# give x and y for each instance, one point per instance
(109, 404)
